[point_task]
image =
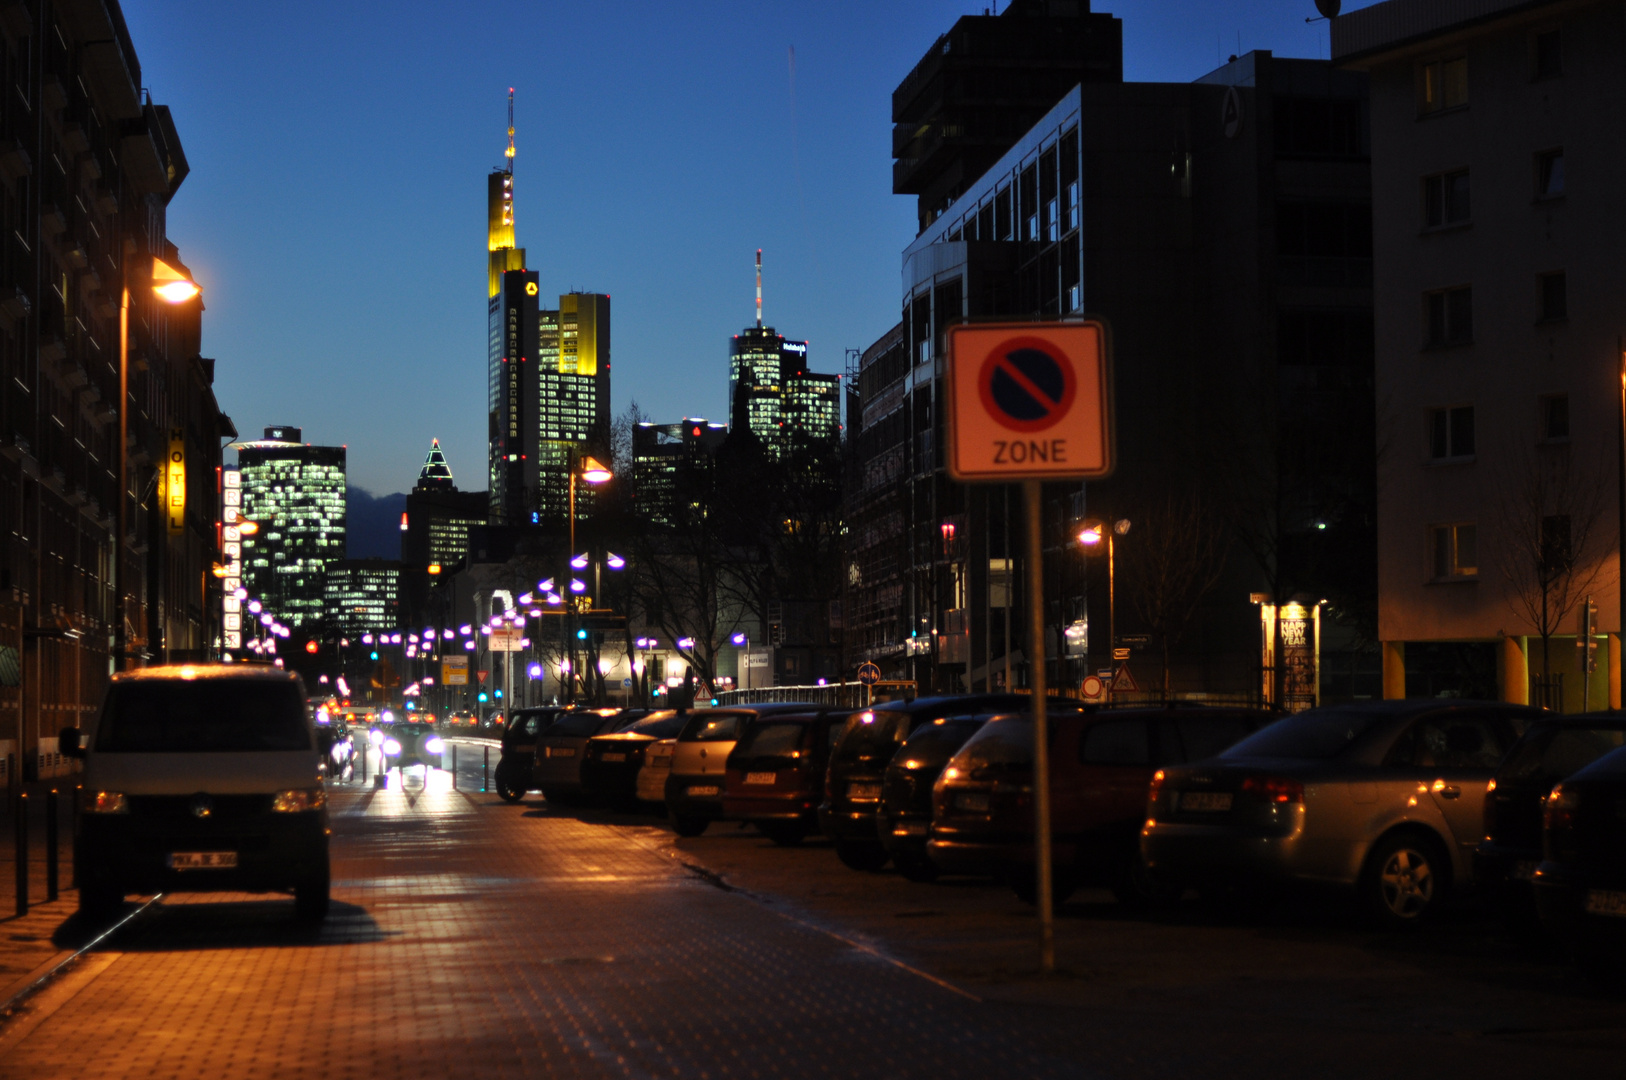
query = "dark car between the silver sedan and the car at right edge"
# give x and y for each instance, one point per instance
(1550, 751)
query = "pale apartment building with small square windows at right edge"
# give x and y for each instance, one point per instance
(1498, 344)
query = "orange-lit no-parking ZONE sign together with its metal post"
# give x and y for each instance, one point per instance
(1032, 403)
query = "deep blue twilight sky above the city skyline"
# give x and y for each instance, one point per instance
(336, 209)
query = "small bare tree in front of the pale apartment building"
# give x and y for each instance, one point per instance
(1552, 546)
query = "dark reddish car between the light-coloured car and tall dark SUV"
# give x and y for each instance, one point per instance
(775, 775)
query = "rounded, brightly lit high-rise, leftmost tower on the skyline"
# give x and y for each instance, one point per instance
(295, 494)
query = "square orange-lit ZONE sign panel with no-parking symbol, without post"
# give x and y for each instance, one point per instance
(1030, 403)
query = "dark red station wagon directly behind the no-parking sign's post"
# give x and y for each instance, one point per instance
(1102, 764)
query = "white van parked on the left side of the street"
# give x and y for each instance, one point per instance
(202, 778)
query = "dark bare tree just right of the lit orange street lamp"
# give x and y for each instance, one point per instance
(1178, 557)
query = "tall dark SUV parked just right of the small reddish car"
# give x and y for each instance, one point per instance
(858, 767)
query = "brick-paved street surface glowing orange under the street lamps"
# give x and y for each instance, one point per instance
(472, 938)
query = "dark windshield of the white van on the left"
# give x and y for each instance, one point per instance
(204, 716)
